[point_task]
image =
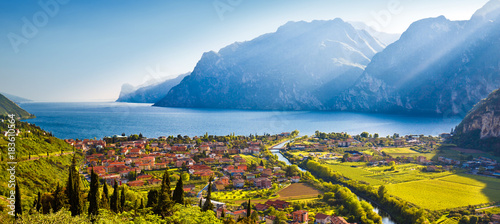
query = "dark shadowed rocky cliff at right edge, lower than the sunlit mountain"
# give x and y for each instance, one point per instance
(481, 127)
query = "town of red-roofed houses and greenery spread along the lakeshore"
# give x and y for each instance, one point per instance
(244, 168)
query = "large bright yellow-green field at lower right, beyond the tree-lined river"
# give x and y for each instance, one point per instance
(448, 192)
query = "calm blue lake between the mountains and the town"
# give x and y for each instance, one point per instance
(89, 120)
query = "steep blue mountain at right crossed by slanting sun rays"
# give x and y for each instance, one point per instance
(438, 66)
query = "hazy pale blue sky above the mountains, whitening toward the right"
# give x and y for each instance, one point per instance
(76, 50)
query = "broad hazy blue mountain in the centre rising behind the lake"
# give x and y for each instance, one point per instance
(298, 67)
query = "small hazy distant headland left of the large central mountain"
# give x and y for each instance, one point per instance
(150, 93)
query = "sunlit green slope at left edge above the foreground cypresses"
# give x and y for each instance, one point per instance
(40, 173)
